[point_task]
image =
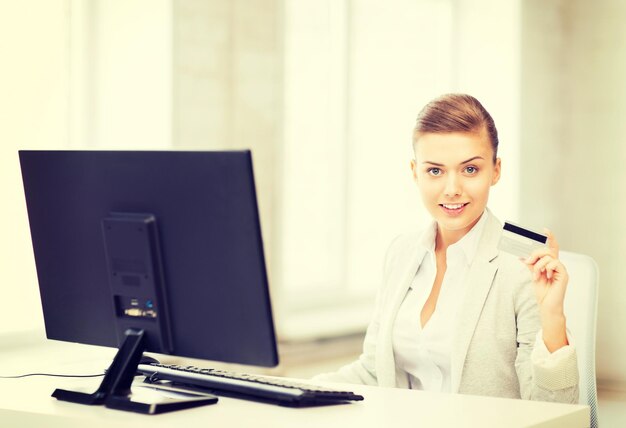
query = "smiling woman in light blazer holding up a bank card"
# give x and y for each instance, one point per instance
(454, 313)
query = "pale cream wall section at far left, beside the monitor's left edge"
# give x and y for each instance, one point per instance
(33, 114)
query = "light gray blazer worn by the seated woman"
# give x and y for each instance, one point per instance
(496, 328)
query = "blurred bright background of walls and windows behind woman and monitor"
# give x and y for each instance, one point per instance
(325, 93)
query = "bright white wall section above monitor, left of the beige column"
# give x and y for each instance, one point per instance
(121, 74)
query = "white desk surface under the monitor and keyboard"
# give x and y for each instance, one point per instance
(26, 402)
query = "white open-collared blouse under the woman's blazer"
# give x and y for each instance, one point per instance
(424, 352)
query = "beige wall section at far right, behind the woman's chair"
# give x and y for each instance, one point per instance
(574, 147)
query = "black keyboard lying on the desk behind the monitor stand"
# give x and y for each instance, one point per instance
(252, 387)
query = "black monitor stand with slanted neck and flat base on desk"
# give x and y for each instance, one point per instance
(115, 390)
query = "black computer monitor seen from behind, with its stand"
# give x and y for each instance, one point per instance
(149, 250)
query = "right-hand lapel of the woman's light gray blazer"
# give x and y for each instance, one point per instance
(478, 284)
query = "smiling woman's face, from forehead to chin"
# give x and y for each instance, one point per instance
(454, 172)
